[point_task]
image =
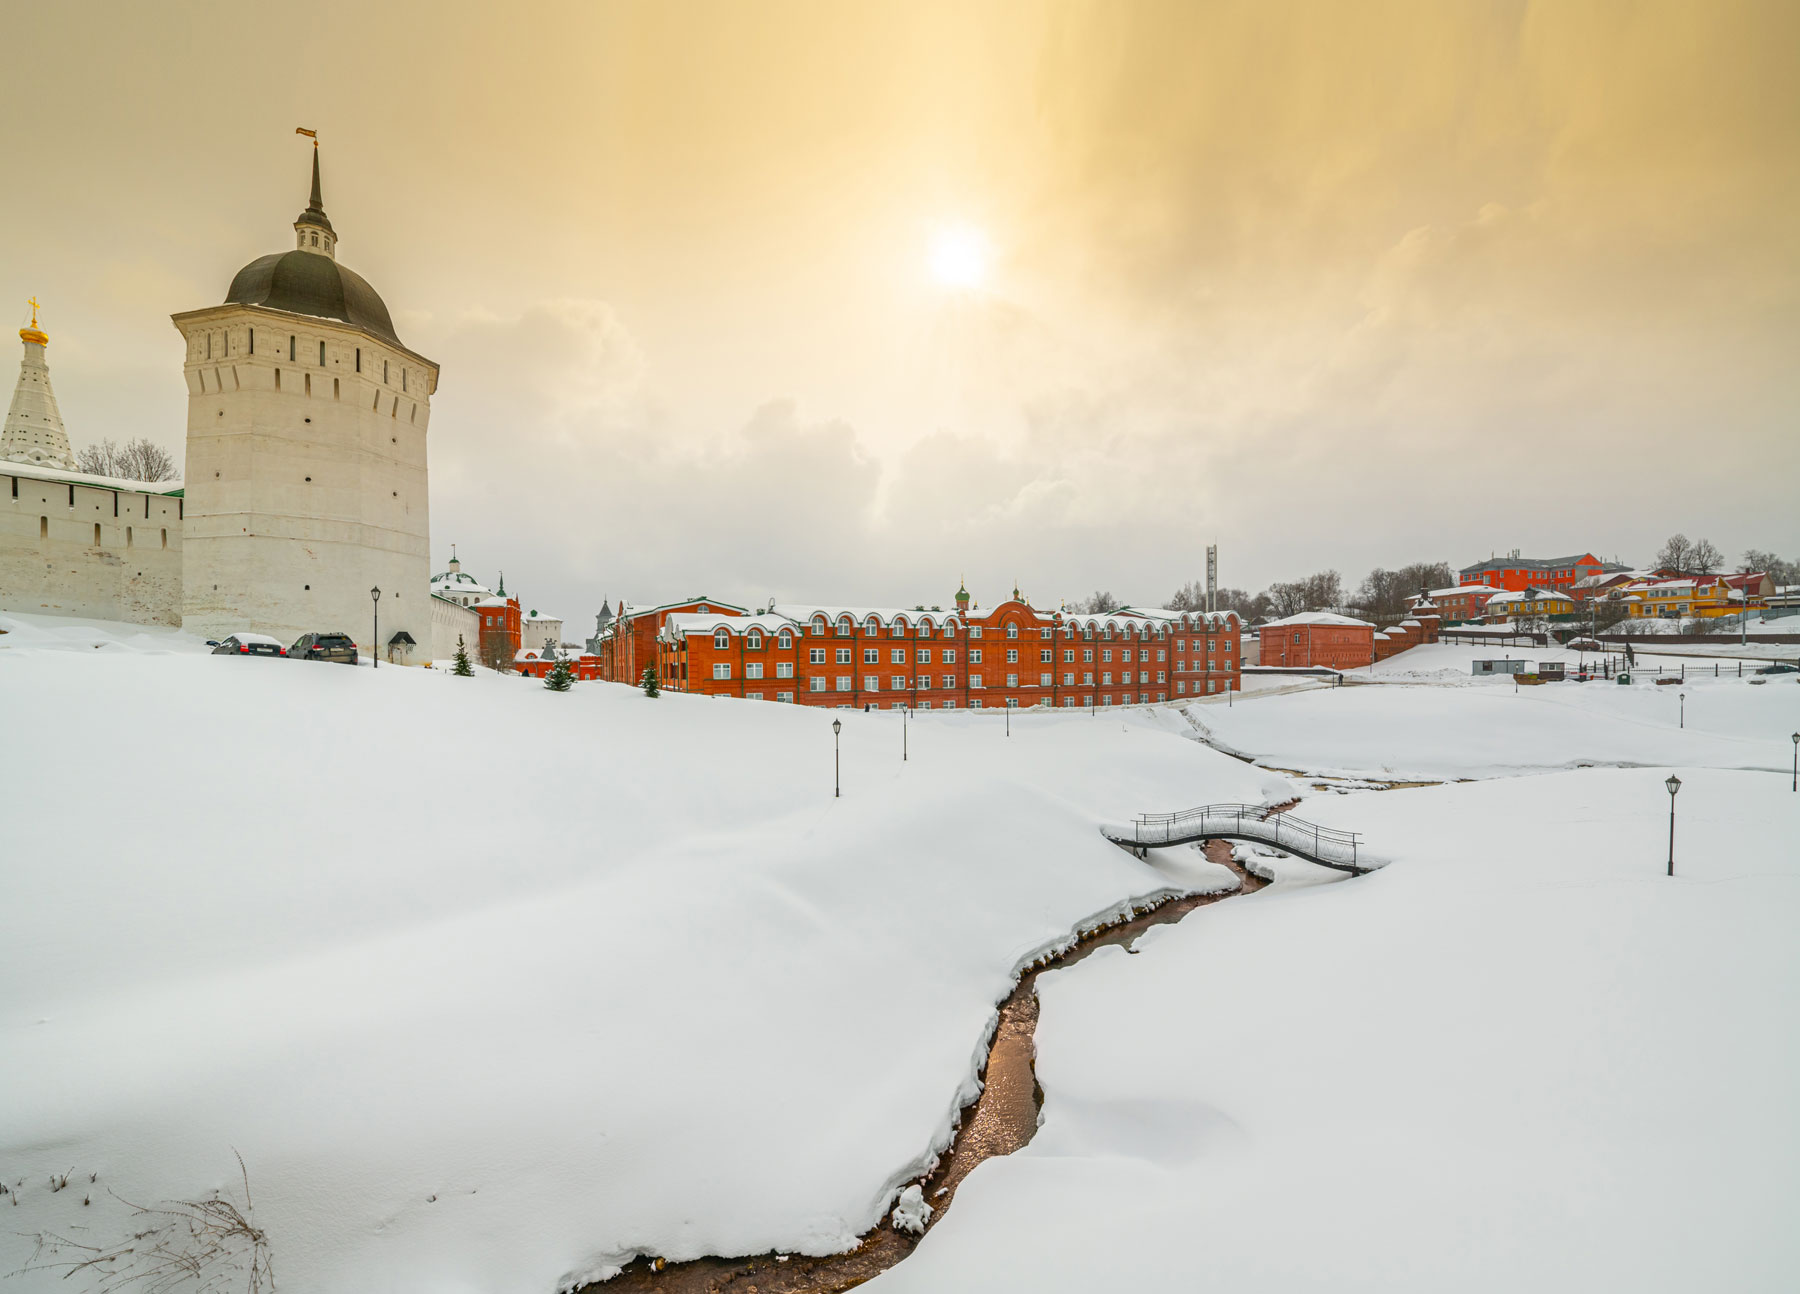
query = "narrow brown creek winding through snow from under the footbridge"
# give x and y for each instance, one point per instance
(998, 1124)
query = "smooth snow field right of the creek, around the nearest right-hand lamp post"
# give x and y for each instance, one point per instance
(1516, 1059)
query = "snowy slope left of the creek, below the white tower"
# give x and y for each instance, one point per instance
(494, 987)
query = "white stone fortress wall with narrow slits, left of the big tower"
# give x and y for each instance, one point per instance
(80, 550)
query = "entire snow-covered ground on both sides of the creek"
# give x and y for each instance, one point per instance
(494, 987)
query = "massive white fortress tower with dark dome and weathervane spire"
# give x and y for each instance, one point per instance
(307, 483)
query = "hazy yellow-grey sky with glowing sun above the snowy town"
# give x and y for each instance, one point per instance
(1335, 285)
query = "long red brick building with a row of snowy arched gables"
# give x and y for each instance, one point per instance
(964, 660)
